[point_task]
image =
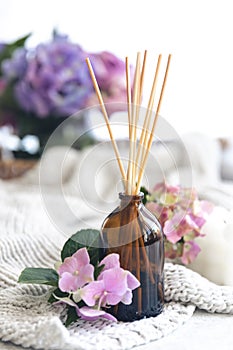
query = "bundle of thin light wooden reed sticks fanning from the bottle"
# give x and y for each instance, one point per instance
(138, 149)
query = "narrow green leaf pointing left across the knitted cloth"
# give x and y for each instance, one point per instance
(39, 276)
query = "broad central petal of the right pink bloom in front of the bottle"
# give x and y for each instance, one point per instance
(115, 281)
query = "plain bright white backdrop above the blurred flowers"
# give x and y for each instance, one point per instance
(198, 34)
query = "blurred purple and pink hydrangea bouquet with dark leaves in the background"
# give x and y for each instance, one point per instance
(41, 86)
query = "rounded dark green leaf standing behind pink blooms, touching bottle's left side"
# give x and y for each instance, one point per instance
(88, 238)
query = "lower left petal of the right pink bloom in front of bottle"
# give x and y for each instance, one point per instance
(92, 292)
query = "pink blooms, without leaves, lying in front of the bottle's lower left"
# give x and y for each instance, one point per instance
(112, 286)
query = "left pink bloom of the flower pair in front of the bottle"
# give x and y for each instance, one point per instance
(75, 271)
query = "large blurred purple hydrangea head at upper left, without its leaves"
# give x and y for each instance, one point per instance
(56, 81)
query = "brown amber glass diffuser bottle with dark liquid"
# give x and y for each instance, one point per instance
(136, 235)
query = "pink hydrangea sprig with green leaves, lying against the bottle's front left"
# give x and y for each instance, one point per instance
(86, 285)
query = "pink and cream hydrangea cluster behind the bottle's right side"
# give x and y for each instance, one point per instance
(182, 215)
